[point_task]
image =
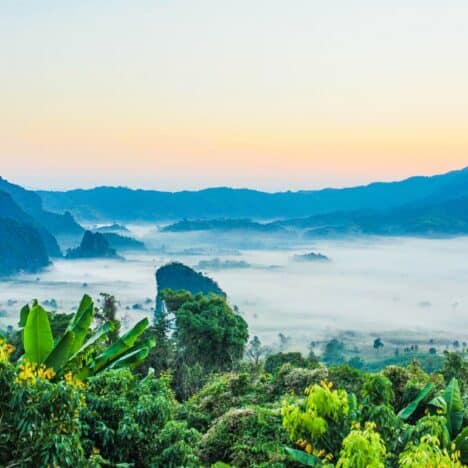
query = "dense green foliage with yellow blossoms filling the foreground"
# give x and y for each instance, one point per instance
(203, 398)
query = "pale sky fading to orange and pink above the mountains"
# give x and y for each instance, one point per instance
(267, 94)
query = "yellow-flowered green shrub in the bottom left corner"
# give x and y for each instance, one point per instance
(39, 420)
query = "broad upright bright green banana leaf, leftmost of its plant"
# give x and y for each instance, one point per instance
(37, 335)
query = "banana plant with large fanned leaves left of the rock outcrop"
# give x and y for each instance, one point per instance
(66, 352)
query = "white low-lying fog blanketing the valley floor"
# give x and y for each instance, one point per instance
(370, 285)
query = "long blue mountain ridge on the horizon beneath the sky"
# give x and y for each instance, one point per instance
(120, 203)
